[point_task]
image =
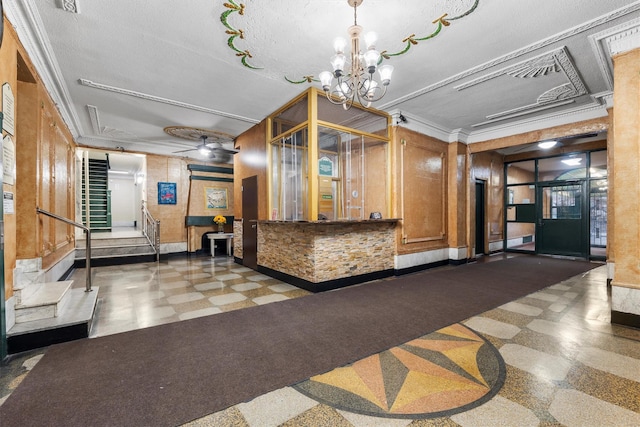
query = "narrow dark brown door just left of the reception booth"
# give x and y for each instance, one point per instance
(249, 222)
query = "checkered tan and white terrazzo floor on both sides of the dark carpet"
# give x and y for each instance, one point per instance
(564, 363)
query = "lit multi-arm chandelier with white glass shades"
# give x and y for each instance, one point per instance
(355, 81)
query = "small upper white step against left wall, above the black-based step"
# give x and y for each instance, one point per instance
(45, 303)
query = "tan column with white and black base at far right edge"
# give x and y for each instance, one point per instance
(625, 224)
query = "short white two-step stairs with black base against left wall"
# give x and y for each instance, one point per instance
(49, 312)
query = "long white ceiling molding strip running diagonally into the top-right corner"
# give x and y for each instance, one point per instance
(520, 52)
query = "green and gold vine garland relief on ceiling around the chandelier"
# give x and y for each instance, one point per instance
(246, 58)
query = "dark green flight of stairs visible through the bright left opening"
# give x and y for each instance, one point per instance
(99, 196)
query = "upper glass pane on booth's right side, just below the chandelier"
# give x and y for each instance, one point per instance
(355, 118)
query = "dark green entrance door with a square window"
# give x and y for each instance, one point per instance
(562, 221)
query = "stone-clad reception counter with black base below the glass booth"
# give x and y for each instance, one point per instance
(323, 255)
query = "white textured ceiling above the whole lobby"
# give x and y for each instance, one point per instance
(121, 70)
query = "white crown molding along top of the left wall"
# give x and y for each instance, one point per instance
(25, 18)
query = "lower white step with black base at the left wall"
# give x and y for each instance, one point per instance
(73, 321)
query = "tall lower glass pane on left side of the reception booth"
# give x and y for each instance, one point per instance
(289, 180)
